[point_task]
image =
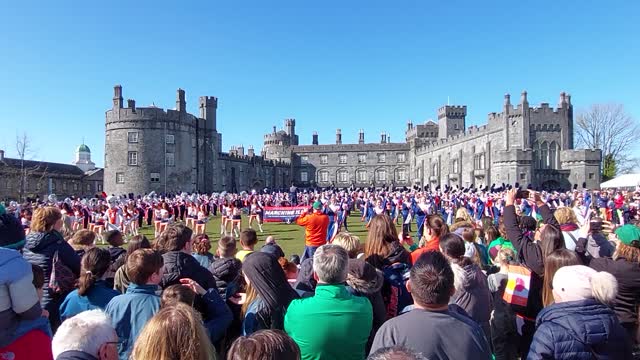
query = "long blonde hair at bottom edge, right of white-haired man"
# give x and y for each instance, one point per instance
(174, 333)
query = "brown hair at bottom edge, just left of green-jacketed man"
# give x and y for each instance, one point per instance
(264, 345)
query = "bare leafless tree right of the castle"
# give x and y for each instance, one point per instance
(610, 128)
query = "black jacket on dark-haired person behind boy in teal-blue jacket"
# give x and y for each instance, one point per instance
(179, 265)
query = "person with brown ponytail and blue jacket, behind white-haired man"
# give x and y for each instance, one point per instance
(93, 291)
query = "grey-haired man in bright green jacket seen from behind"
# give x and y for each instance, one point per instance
(333, 324)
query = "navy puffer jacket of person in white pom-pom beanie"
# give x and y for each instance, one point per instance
(584, 329)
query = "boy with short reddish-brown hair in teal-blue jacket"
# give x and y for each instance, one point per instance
(130, 311)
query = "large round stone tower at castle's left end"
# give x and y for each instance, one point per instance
(152, 149)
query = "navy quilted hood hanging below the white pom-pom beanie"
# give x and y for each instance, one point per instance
(587, 321)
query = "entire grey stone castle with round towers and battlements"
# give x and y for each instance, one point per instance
(167, 151)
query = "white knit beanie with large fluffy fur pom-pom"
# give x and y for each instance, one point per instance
(579, 282)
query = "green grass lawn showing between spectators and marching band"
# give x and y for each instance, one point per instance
(289, 236)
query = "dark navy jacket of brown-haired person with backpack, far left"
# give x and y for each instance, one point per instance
(39, 250)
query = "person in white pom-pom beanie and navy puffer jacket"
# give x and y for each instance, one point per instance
(580, 325)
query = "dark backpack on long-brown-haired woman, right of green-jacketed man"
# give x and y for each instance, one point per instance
(394, 290)
